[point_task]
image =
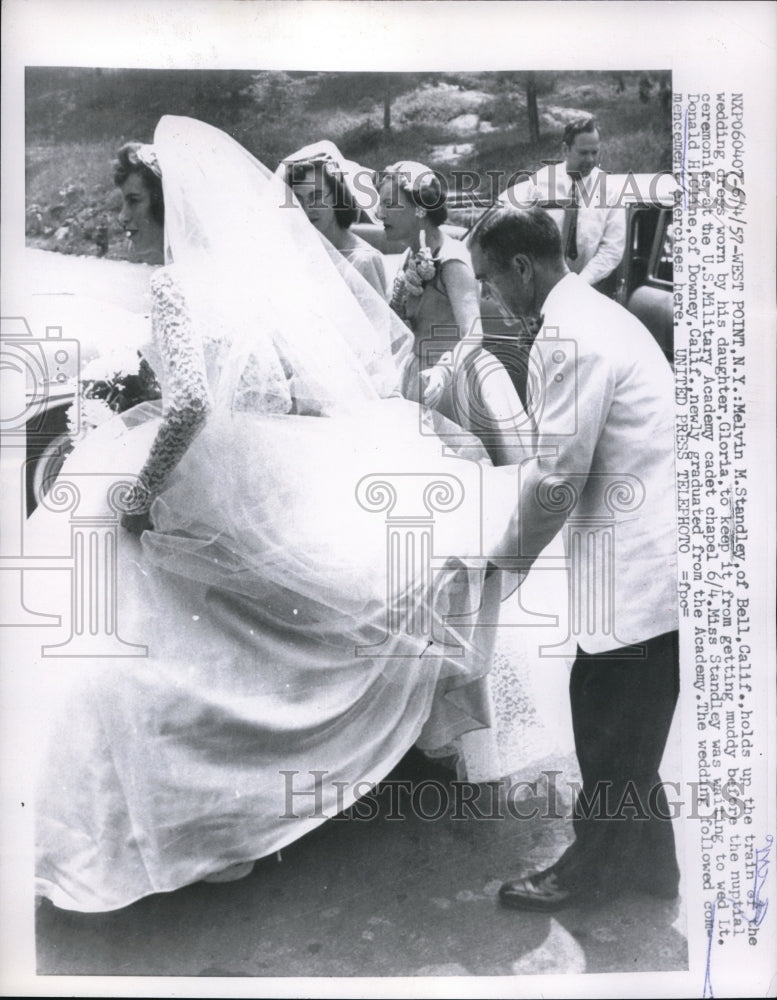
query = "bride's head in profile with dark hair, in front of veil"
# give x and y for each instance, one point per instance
(142, 216)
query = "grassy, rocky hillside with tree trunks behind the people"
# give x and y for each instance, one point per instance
(77, 118)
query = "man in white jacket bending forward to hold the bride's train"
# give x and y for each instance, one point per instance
(601, 397)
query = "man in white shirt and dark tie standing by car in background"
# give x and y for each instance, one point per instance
(593, 227)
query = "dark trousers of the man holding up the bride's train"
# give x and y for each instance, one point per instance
(622, 707)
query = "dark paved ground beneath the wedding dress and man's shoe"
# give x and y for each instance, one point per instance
(382, 897)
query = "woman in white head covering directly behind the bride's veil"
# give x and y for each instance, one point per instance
(333, 191)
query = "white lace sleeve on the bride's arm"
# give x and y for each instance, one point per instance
(187, 399)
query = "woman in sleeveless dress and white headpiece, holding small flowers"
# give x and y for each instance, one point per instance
(436, 294)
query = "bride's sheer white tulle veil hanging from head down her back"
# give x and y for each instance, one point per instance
(252, 268)
